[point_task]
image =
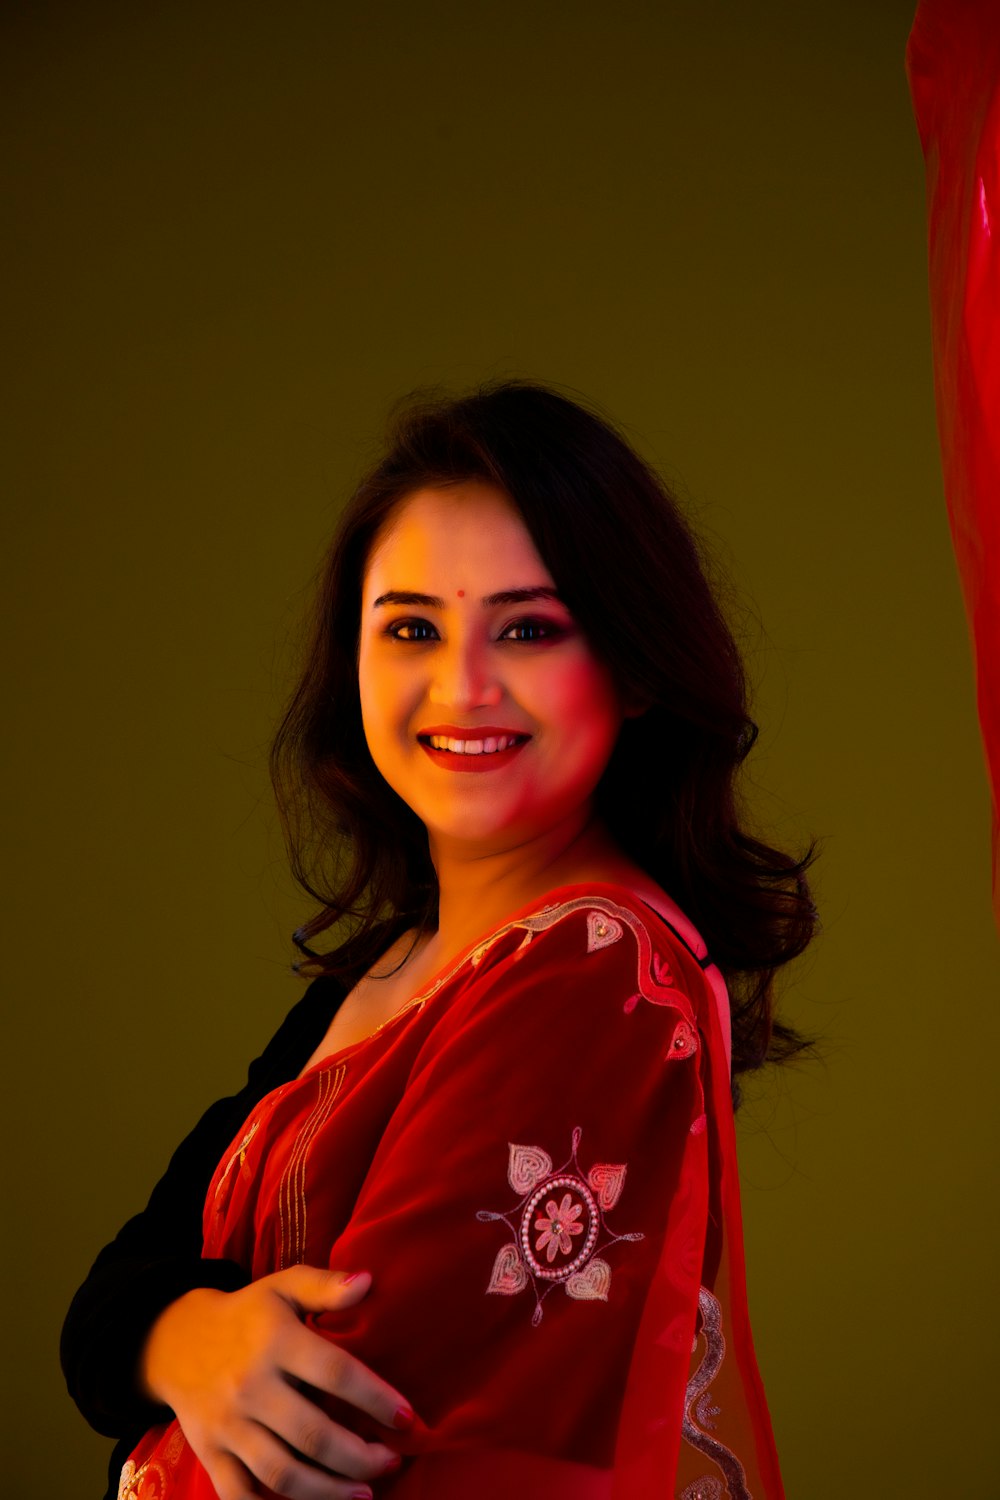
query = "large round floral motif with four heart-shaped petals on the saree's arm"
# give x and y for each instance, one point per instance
(557, 1228)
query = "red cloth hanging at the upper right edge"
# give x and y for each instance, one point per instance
(953, 64)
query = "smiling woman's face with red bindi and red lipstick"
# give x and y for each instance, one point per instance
(490, 715)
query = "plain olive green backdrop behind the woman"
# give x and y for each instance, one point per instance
(239, 232)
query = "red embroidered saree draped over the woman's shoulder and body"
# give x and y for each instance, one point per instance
(536, 1160)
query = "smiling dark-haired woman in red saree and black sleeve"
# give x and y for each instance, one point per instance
(504, 1102)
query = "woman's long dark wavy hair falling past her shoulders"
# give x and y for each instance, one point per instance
(633, 575)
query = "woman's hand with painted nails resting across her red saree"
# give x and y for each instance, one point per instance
(226, 1363)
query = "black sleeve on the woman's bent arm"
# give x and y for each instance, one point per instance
(157, 1255)
